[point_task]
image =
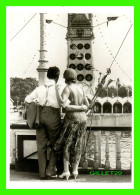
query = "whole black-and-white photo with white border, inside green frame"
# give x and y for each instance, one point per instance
(70, 97)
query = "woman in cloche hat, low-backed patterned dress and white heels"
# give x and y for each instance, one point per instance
(71, 137)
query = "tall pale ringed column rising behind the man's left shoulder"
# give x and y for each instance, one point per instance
(42, 68)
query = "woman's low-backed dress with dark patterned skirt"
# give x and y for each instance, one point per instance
(71, 137)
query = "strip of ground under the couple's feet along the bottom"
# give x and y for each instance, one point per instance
(29, 176)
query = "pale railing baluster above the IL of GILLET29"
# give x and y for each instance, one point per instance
(96, 151)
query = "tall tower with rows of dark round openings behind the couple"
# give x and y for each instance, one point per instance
(79, 39)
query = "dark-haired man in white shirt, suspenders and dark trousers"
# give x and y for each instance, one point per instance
(50, 121)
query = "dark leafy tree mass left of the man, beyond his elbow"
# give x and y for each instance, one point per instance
(20, 88)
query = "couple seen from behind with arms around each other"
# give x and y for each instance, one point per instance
(64, 141)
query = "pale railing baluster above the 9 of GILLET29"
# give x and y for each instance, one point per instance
(118, 150)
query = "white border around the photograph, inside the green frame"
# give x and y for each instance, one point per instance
(62, 184)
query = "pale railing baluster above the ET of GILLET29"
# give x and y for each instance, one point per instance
(107, 162)
